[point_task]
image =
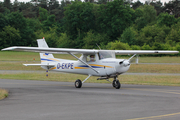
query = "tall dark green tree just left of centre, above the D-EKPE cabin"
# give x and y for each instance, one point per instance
(79, 19)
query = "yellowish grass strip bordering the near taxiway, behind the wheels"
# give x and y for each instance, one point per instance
(164, 80)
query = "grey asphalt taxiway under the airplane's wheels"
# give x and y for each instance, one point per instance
(44, 100)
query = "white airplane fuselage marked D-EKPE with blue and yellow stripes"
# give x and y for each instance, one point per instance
(105, 67)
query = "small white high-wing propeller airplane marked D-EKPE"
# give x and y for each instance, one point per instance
(102, 63)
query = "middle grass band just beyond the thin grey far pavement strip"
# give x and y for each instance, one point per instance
(140, 68)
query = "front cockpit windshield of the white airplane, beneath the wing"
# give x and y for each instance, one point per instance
(106, 54)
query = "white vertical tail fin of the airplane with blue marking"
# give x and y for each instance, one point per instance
(42, 43)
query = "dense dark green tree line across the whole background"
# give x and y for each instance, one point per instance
(114, 24)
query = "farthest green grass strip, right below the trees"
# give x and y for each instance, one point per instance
(29, 56)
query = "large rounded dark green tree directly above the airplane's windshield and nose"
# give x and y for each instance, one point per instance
(114, 17)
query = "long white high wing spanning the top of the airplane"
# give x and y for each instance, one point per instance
(86, 51)
